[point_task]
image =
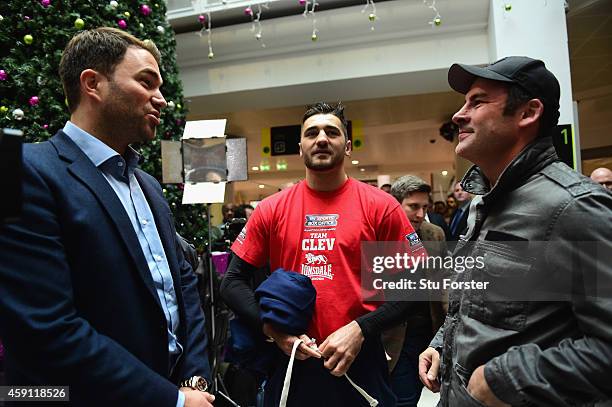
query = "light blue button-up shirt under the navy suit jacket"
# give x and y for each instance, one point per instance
(119, 172)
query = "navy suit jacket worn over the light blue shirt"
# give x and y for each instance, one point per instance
(77, 302)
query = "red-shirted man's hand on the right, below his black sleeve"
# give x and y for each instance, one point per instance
(341, 348)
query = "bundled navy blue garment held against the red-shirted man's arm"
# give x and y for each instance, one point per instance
(287, 300)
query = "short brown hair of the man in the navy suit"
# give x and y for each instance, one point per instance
(100, 49)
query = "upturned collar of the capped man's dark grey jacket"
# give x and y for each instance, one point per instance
(535, 156)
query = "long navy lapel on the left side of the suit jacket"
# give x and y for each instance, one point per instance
(83, 169)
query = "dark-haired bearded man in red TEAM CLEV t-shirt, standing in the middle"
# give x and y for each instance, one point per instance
(316, 228)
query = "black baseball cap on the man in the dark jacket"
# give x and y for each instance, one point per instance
(530, 74)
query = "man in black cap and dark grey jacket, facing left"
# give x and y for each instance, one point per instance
(531, 214)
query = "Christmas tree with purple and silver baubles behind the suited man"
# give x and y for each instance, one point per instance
(34, 34)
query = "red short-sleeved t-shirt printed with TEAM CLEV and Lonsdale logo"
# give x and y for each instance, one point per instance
(318, 234)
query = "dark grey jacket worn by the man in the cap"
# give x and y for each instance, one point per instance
(536, 353)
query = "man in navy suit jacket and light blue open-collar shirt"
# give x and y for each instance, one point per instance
(95, 292)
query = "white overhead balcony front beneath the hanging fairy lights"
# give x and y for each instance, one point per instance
(403, 55)
